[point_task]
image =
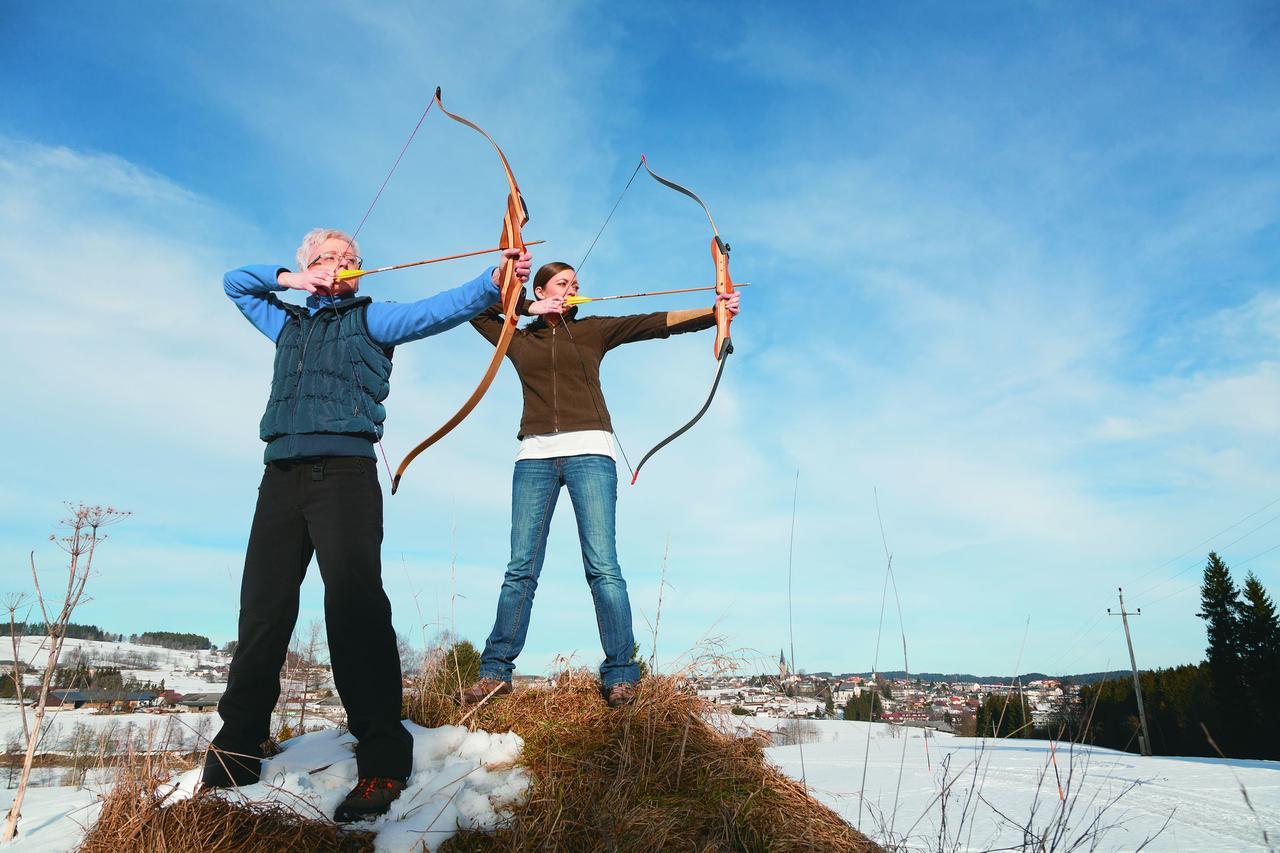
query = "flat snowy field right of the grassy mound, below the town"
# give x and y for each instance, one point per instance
(1200, 797)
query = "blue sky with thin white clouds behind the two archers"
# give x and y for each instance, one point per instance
(1016, 272)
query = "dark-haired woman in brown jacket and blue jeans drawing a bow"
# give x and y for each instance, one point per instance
(566, 439)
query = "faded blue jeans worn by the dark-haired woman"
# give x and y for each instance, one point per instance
(593, 489)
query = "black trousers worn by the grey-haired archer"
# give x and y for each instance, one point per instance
(331, 508)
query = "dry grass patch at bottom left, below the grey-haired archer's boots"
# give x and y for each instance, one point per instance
(134, 819)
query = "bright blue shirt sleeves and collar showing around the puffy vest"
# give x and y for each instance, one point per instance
(254, 290)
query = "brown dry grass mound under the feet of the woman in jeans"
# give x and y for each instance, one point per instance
(653, 777)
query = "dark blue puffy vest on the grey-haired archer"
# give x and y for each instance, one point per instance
(330, 385)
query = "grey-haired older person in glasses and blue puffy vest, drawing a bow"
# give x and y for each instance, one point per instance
(321, 496)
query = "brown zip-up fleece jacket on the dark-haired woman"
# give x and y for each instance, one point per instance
(560, 366)
